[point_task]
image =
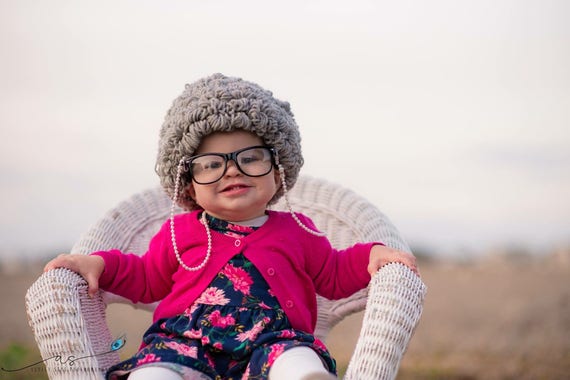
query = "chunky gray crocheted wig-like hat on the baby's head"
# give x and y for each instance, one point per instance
(222, 104)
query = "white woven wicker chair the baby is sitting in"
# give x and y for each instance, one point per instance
(69, 324)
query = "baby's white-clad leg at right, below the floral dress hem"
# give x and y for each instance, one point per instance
(299, 363)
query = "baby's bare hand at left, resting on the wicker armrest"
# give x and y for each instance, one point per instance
(89, 267)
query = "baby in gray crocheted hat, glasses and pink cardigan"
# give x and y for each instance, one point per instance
(237, 283)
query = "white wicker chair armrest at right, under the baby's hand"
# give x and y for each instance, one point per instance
(393, 310)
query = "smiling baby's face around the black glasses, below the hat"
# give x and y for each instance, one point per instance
(235, 197)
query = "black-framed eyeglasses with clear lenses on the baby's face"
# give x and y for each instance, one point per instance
(253, 161)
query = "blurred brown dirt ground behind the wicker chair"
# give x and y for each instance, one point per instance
(498, 318)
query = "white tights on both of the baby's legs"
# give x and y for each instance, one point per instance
(299, 363)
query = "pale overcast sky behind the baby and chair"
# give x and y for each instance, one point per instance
(452, 116)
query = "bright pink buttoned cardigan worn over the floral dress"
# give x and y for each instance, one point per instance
(295, 264)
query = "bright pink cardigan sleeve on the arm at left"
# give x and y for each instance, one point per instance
(146, 278)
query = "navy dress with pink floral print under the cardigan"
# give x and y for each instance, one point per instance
(234, 330)
